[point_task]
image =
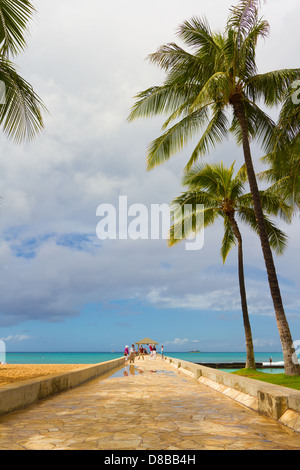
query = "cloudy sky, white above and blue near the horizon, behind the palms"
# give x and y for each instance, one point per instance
(64, 289)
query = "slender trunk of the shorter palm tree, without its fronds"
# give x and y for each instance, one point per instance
(250, 359)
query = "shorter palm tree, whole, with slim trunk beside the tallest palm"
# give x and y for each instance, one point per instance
(214, 190)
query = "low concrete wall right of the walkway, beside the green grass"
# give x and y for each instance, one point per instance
(279, 403)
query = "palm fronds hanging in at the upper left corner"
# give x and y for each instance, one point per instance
(21, 113)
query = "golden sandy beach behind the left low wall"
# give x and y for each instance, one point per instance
(11, 373)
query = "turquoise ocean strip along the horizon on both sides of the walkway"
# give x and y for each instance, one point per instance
(96, 357)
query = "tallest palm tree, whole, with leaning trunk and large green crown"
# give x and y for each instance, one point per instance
(213, 89)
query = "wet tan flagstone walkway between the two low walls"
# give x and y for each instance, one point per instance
(152, 408)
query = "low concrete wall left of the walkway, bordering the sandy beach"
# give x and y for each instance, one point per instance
(22, 394)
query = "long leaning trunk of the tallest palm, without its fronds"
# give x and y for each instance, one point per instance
(291, 368)
